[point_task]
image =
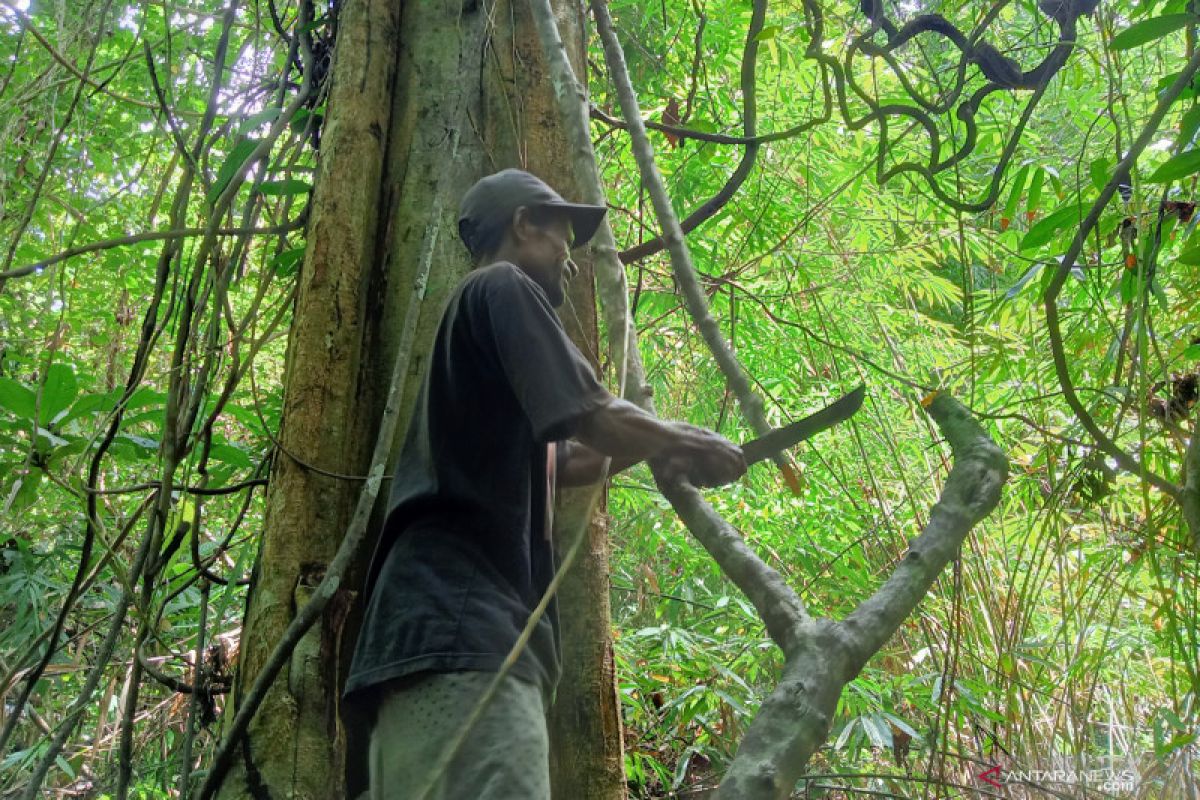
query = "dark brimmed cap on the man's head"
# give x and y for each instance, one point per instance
(489, 206)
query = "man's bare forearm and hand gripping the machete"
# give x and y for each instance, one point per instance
(629, 436)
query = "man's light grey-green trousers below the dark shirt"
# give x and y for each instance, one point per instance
(505, 757)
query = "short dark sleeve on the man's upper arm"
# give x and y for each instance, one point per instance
(553, 382)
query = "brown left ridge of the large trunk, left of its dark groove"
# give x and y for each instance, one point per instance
(296, 747)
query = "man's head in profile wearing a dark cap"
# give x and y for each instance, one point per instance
(515, 216)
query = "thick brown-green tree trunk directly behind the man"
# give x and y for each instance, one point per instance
(427, 98)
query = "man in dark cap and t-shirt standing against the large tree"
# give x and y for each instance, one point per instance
(466, 552)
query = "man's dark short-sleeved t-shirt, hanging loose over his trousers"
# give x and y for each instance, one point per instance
(465, 555)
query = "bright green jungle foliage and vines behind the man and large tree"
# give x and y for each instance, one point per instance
(1067, 625)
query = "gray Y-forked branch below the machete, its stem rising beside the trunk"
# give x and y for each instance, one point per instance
(821, 655)
